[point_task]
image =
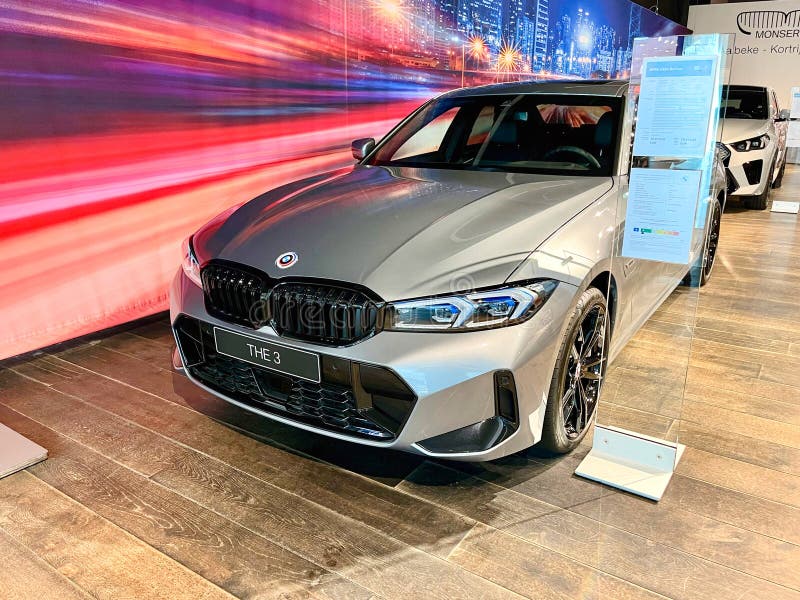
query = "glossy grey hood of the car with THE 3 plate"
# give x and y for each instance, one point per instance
(401, 232)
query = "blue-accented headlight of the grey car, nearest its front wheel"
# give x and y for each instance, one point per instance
(466, 312)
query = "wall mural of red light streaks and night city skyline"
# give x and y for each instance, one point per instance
(124, 125)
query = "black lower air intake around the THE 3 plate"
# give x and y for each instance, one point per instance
(376, 407)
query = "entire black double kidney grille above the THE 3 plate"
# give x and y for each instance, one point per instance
(321, 313)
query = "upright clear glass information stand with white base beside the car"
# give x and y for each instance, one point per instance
(670, 199)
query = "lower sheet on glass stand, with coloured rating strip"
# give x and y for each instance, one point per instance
(659, 221)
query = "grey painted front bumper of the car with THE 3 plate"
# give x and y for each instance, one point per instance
(452, 376)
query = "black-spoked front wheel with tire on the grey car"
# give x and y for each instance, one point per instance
(566, 423)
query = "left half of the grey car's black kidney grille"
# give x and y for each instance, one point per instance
(234, 294)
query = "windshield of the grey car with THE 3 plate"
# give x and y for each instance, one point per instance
(529, 133)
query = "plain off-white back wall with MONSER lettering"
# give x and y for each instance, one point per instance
(767, 44)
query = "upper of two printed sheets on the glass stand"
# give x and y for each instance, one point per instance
(676, 97)
